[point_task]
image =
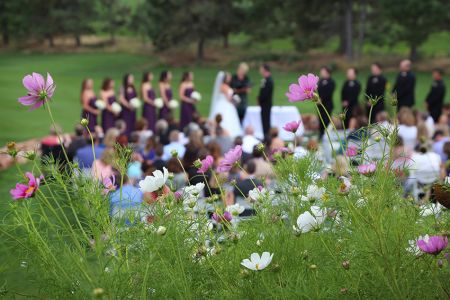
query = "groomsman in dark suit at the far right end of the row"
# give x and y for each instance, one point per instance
(435, 97)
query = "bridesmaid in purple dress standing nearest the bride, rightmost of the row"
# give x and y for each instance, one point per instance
(187, 103)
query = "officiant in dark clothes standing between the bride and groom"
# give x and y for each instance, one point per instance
(240, 83)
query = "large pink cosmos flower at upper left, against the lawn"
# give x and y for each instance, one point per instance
(39, 90)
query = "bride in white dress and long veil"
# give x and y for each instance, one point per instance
(222, 104)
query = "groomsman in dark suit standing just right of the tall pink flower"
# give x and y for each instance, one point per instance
(325, 91)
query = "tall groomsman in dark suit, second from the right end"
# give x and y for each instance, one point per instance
(404, 85)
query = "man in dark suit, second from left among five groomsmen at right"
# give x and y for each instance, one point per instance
(349, 94)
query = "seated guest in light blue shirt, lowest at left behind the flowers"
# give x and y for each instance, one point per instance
(125, 202)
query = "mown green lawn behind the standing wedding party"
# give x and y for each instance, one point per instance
(68, 70)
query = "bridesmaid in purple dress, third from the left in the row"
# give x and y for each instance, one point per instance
(128, 113)
